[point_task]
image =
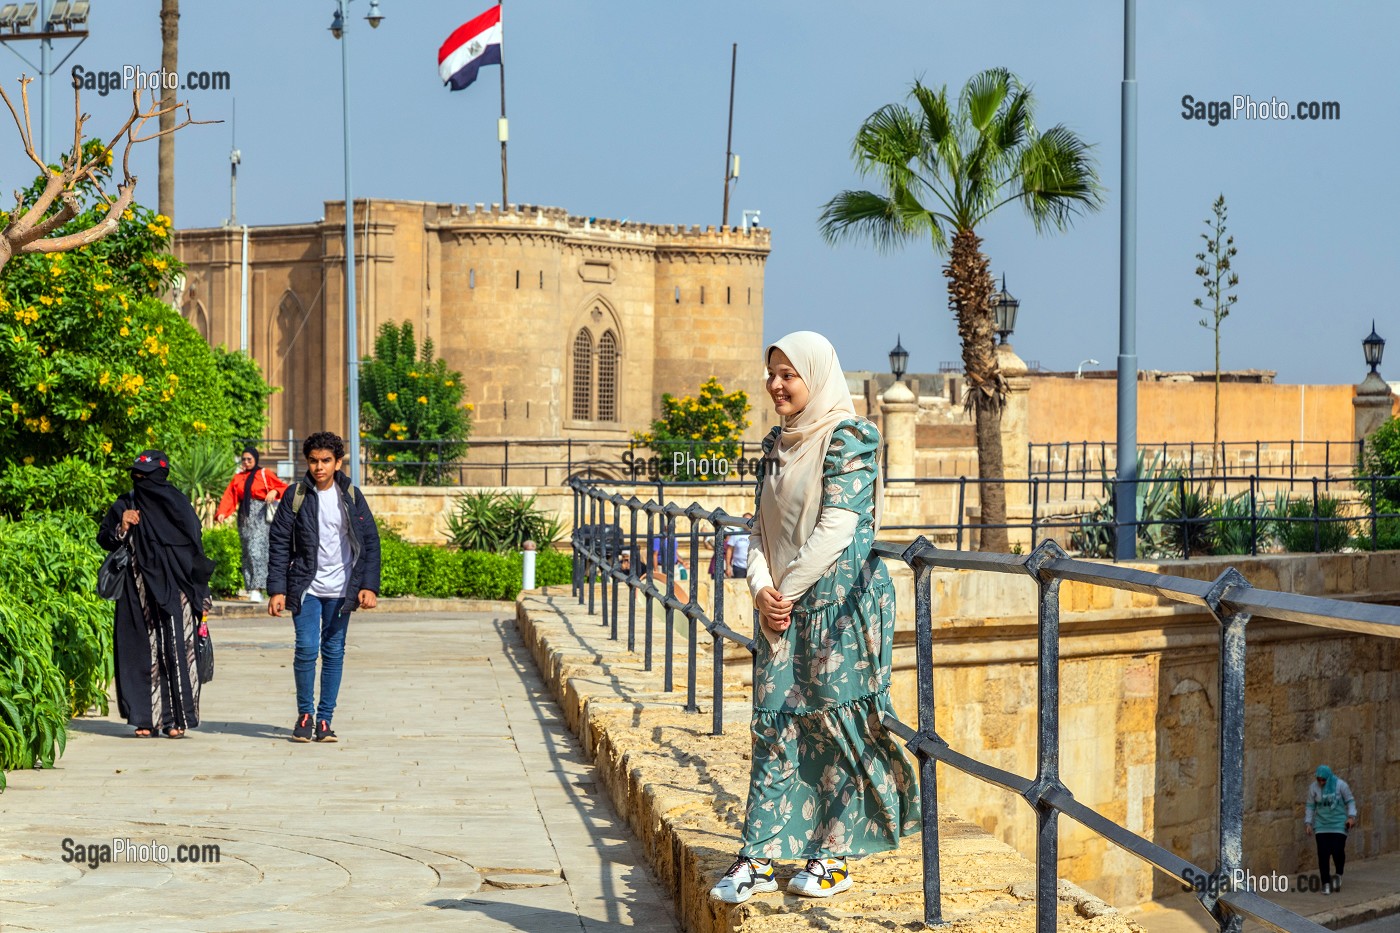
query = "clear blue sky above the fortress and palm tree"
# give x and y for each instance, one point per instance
(619, 110)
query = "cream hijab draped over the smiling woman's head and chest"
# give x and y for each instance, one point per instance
(792, 501)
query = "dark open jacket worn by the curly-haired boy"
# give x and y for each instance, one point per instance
(290, 572)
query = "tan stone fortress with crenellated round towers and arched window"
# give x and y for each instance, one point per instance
(506, 295)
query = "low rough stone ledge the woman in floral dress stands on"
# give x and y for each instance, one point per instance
(682, 792)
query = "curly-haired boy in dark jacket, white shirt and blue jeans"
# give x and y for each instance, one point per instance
(324, 562)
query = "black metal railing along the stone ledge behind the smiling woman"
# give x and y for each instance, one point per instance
(1230, 600)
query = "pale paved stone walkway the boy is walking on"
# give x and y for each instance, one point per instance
(456, 781)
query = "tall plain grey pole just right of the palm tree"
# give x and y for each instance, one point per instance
(1125, 491)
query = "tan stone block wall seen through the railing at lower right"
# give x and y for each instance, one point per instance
(1140, 711)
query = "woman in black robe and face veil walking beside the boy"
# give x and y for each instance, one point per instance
(163, 600)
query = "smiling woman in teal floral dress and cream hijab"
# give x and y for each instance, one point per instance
(829, 782)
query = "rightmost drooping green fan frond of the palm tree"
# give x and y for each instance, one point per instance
(1056, 180)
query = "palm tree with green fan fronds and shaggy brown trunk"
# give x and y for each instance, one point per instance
(941, 173)
